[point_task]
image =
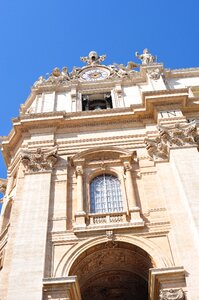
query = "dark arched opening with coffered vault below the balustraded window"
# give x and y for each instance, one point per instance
(113, 270)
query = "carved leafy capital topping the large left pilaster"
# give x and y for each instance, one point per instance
(39, 160)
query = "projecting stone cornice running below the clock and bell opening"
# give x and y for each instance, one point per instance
(130, 117)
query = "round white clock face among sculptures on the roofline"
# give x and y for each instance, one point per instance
(95, 74)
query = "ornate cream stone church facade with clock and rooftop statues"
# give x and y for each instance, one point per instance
(101, 199)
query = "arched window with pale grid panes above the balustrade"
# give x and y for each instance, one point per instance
(105, 194)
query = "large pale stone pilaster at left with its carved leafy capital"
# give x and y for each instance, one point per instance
(24, 267)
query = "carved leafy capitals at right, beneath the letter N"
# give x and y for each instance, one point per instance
(177, 135)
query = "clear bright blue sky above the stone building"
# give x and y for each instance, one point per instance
(38, 35)
